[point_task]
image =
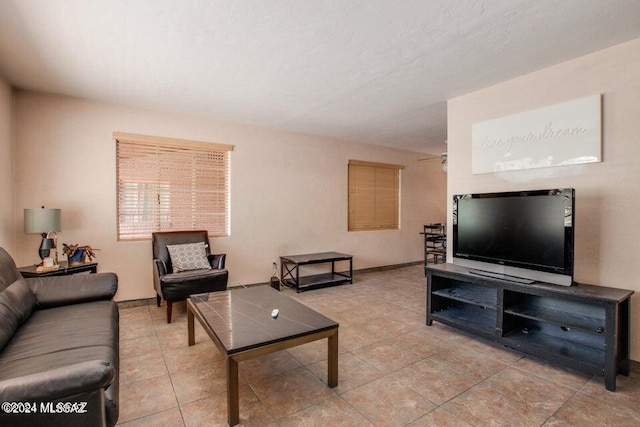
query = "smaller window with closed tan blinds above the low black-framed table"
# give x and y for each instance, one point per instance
(374, 196)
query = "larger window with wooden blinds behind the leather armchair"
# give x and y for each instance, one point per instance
(167, 184)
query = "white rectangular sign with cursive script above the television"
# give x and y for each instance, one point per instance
(568, 133)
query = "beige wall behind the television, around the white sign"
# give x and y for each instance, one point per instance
(607, 193)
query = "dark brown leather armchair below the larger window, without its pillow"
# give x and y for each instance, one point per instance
(178, 286)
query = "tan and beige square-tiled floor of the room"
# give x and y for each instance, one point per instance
(394, 371)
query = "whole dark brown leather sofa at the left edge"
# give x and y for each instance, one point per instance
(58, 349)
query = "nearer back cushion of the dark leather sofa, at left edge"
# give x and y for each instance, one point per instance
(16, 304)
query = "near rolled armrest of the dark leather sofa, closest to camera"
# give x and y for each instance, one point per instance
(58, 383)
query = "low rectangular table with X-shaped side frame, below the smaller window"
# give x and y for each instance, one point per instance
(290, 270)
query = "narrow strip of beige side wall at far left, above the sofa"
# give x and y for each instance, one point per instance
(6, 169)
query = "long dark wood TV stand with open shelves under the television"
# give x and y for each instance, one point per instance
(582, 327)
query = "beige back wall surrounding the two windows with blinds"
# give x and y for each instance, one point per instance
(288, 191)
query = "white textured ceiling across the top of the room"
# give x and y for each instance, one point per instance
(374, 71)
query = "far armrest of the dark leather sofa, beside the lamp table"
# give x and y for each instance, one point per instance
(73, 289)
